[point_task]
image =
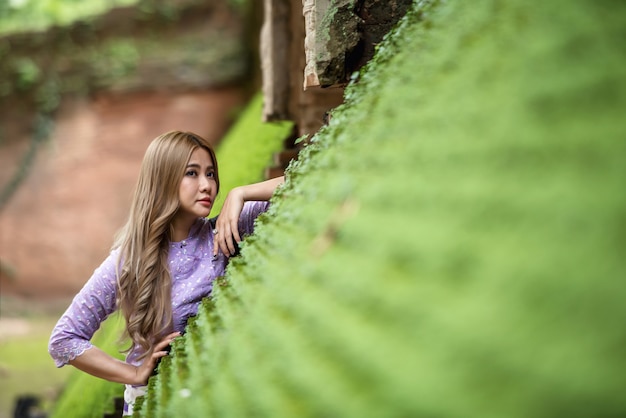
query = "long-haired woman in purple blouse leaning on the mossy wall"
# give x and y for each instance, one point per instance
(162, 264)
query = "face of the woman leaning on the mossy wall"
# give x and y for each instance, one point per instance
(198, 187)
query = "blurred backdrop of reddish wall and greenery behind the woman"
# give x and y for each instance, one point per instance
(85, 85)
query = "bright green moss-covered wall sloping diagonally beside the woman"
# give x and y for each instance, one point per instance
(451, 245)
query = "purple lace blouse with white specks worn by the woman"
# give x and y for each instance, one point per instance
(191, 267)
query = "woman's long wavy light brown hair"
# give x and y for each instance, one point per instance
(144, 280)
